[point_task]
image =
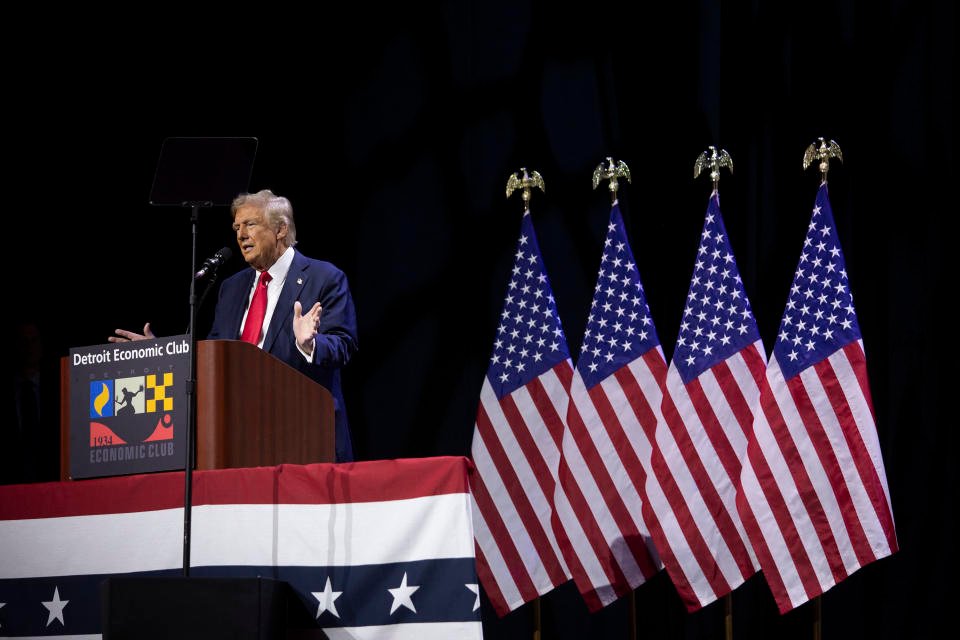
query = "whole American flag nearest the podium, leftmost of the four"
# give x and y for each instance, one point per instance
(516, 438)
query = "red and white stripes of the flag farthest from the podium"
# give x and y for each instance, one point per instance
(814, 494)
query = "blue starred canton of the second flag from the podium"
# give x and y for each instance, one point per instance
(619, 327)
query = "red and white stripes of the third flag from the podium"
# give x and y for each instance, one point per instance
(700, 442)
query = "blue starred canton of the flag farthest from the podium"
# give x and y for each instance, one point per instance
(819, 318)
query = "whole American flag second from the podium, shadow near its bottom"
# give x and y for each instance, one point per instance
(617, 380)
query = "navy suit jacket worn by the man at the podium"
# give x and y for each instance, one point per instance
(308, 281)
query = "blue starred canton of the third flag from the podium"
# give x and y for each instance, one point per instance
(717, 319)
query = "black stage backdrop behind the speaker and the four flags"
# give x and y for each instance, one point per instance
(393, 132)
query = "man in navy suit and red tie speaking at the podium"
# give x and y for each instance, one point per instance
(317, 341)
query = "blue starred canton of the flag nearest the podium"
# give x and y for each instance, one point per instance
(529, 338)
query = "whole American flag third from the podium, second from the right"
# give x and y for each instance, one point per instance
(711, 385)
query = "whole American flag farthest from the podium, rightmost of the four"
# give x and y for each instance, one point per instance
(814, 494)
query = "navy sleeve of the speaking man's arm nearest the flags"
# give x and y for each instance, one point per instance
(336, 341)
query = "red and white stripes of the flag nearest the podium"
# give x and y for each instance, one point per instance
(516, 452)
